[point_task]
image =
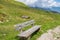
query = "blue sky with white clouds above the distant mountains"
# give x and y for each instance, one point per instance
(41, 3)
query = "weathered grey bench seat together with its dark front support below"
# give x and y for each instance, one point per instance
(26, 34)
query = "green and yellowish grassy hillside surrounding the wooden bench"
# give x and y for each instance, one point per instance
(13, 11)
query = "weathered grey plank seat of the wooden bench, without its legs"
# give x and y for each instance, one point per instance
(27, 33)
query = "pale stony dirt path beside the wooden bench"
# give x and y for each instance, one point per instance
(52, 34)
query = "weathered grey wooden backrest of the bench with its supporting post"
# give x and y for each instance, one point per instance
(25, 24)
